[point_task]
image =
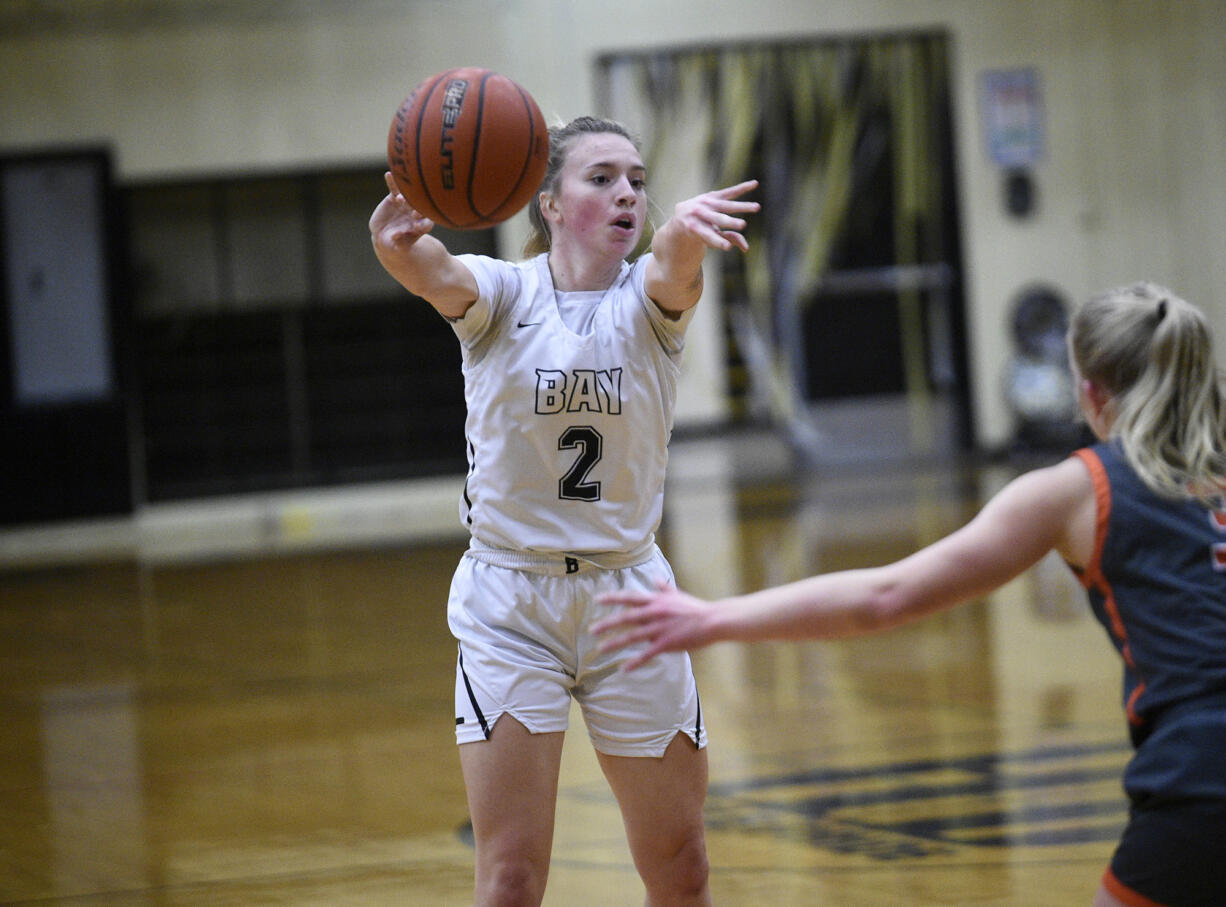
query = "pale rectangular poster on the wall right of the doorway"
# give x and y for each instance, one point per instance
(1013, 117)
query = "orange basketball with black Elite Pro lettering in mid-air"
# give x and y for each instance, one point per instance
(469, 148)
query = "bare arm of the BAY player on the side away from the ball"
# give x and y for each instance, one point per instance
(674, 279)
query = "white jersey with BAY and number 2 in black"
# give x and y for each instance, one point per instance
(568, 433)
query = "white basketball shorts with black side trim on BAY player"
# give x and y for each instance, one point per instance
(525, 650)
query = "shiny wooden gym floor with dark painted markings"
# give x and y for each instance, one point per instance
(276, 729)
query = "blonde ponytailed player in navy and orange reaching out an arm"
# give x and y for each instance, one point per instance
(1140, 517)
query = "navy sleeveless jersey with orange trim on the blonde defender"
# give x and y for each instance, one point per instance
(1158, 585)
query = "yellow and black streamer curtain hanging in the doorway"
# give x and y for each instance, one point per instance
(793, 116)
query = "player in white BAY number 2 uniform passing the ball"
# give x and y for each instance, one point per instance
(571, 363)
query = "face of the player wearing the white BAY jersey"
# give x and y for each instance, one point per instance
(603, 195)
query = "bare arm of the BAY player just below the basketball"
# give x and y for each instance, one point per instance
(417, 260)
